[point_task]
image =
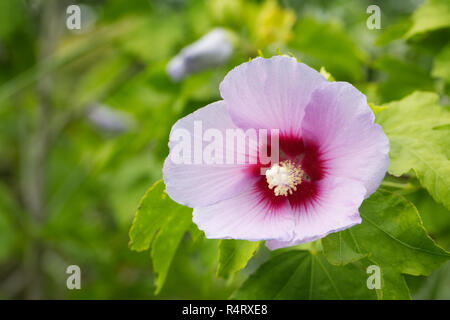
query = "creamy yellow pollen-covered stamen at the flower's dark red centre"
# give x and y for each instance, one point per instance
(284, 177)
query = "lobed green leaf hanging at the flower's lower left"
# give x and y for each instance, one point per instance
(160, 224)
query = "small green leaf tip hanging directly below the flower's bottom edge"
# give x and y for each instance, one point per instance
(234, 255)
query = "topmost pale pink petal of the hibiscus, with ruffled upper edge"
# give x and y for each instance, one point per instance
(270, 93)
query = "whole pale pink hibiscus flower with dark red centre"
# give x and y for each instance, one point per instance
(330, 156)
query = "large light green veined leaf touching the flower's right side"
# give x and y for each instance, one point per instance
(418, 131)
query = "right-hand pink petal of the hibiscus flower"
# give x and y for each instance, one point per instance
(340, 122)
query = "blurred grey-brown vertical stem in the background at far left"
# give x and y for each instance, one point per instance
(34, 185)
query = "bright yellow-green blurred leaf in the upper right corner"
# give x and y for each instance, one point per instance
(432, 15)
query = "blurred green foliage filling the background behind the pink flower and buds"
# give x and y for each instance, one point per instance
(69, 188)
